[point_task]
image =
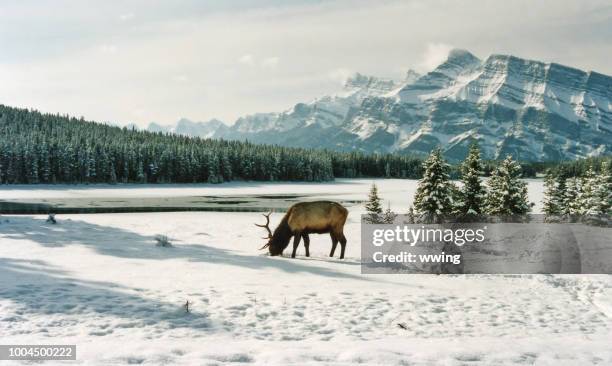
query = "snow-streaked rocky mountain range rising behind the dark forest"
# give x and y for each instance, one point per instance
(534, 110)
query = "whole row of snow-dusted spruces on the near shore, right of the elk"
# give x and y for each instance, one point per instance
(574, 191)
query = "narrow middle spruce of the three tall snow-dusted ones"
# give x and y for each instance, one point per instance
(472, 194)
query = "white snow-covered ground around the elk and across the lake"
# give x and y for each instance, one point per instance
(99, 281)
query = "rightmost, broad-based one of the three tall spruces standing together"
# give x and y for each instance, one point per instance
(507, 193)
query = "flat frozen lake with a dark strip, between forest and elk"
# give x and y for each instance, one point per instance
(236, 196)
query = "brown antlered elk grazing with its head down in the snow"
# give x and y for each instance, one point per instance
(305, 218)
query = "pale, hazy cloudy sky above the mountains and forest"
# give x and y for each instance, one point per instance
(139, 61)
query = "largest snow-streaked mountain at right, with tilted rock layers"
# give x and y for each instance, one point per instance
(533, 110)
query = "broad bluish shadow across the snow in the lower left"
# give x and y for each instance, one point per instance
(38, 288)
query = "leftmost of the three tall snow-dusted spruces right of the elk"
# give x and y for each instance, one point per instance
(433, 198)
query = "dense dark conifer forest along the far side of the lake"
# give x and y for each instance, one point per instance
(51, 148)
